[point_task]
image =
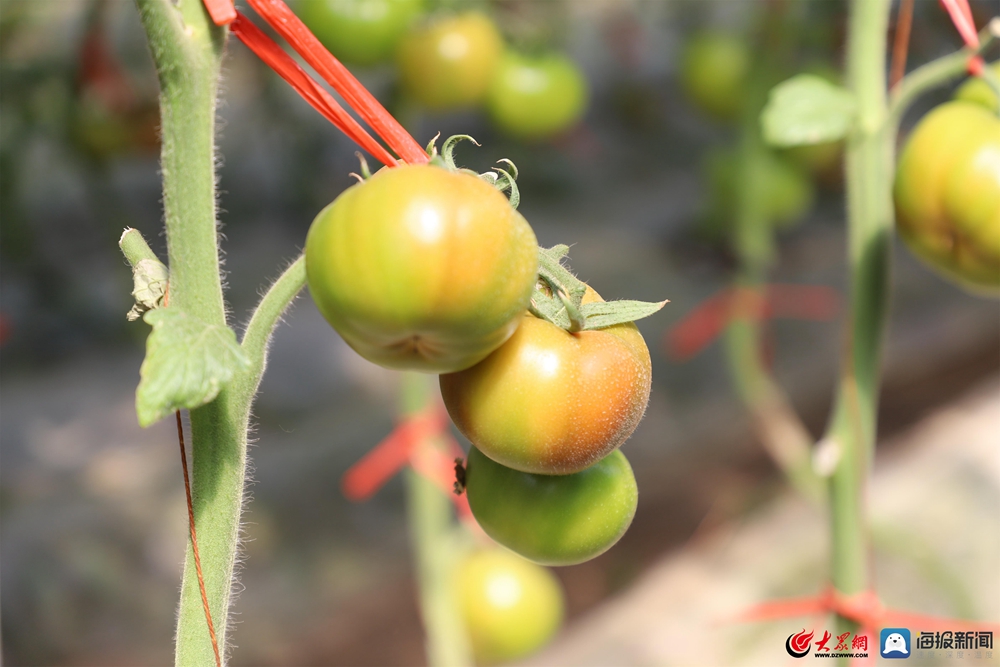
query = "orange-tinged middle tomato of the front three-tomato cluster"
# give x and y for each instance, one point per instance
(553, 402)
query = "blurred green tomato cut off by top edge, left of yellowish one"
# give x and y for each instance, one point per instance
(361, 32)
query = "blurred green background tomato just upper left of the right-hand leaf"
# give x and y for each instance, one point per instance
(714, 70)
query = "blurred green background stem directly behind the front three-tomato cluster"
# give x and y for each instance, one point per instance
(435, 549)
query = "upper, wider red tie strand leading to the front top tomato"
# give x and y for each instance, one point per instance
(277, 14)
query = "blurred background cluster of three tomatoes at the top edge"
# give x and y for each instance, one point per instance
(455, 61)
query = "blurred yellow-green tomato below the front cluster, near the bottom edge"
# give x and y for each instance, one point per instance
(511, 606)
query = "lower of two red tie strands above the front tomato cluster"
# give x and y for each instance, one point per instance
(276, 58)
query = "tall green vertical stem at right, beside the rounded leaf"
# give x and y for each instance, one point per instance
(869, 164)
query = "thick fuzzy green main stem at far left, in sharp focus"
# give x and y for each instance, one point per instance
(187, 51)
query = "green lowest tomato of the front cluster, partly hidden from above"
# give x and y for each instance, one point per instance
(553, 519)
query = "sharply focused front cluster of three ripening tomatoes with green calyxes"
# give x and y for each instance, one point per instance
(430, 268)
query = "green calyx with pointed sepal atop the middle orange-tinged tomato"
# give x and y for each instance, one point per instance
(558, 298)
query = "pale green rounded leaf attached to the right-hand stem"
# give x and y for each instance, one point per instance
(807, 109)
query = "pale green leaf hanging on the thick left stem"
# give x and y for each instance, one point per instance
(187, 362)
